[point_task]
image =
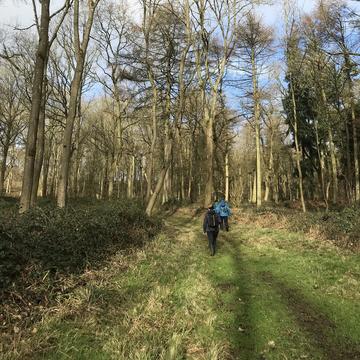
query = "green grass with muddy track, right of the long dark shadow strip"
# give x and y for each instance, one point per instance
(303, 296)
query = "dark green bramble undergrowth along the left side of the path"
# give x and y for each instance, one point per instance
(44, 252)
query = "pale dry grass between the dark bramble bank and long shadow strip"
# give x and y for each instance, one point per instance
(137, 306)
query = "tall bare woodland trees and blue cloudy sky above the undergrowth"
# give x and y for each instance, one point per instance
(181, 101)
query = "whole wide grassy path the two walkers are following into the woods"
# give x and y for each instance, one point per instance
(267, 294)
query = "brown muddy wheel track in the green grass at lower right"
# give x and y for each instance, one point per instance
(313, 322)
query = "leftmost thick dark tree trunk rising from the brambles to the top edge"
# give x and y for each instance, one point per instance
(36, 97)
